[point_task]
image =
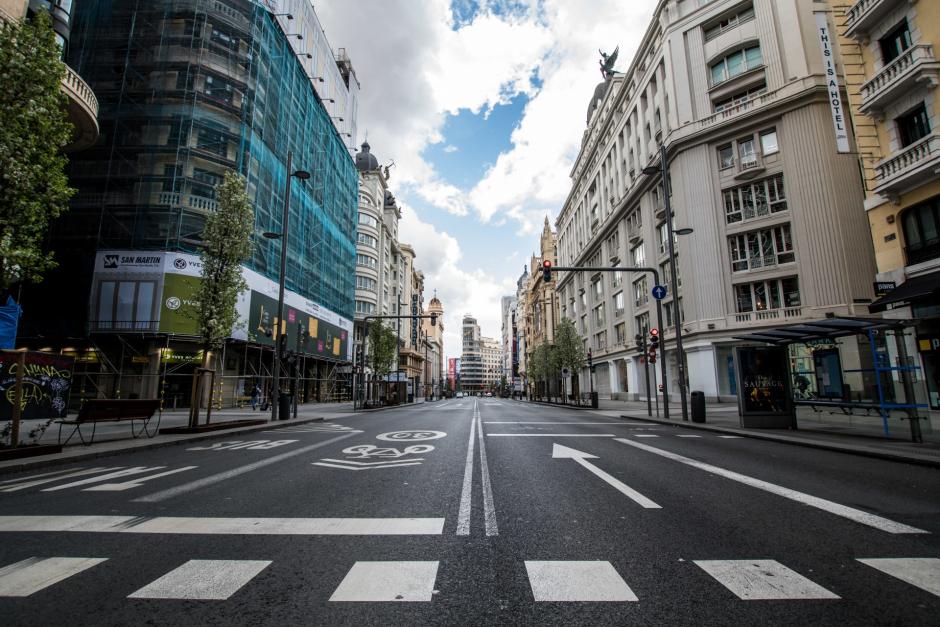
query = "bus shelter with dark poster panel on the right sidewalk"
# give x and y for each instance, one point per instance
(846, 366)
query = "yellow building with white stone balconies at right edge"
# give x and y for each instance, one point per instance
(891, 79)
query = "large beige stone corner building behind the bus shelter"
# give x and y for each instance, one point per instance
(738, 92)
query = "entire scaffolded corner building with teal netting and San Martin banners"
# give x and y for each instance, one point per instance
(187, 91)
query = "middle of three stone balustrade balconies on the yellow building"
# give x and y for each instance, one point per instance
(915, 66)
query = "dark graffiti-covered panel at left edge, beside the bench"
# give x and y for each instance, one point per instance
(46, 382)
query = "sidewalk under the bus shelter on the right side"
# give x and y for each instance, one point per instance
(811, 431)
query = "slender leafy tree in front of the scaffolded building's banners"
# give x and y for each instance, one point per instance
(226, 244)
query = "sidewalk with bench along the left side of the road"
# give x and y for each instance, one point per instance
(115, 438)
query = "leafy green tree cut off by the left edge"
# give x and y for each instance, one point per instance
(34, 127)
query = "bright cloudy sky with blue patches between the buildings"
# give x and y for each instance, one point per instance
(481, 104)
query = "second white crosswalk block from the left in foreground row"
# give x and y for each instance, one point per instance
(203, 580)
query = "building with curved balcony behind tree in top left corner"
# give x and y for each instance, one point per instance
(82, 105)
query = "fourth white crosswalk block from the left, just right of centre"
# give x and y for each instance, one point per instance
(577, 581)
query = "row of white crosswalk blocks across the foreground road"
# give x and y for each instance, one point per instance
(557, 581)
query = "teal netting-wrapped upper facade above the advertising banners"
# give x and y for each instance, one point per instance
(188, 90)
